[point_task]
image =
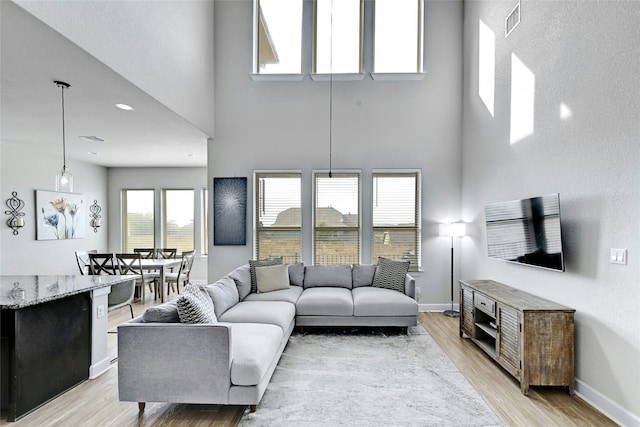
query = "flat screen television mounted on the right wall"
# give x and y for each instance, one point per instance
(526, 231)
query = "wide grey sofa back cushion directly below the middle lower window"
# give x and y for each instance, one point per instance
(325, 302)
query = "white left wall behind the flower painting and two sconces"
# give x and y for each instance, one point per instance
(25, 170)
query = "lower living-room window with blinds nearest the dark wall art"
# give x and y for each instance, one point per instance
(278, 227)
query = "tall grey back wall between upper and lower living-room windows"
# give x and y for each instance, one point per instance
(285, 126)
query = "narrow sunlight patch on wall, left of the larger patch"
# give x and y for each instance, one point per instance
(486, 65)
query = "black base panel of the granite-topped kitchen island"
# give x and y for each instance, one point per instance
(48, 350)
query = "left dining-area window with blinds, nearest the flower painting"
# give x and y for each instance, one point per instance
(137, 219)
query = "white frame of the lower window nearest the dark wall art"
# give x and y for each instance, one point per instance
(257, 228)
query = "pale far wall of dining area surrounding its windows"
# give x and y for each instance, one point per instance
(157, 179)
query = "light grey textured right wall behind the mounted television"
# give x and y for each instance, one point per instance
(585, 55)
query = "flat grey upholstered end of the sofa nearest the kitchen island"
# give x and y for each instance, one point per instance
(174, 362)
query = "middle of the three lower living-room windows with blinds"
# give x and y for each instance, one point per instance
(336, 218)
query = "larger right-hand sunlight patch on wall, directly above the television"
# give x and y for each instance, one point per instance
(523, 85)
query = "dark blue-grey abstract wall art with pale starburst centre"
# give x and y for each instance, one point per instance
(230, 211)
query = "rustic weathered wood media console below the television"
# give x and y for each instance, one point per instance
(530, 337)
